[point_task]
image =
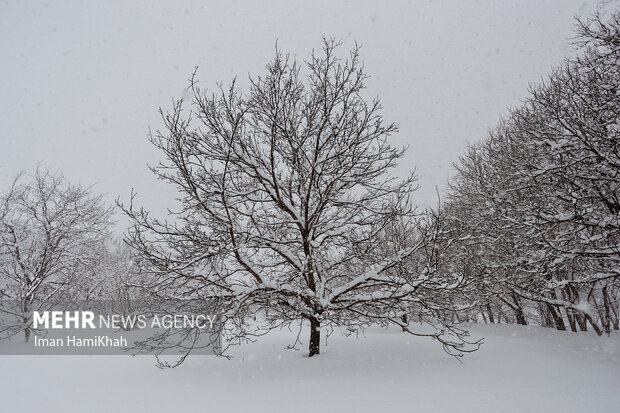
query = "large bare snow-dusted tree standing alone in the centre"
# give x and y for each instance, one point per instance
(285, 204)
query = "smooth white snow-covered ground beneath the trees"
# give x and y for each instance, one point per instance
(519, 369)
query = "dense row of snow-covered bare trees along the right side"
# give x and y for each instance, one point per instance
(537, 203)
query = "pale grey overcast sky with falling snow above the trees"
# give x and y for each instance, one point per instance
(81, 81)
